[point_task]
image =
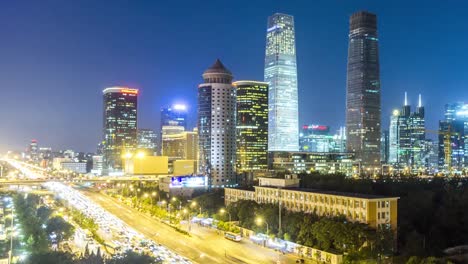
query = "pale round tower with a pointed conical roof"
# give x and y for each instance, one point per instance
(217, 126)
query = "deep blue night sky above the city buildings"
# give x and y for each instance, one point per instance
(56, 57)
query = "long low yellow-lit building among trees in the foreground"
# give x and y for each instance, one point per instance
(368, 209)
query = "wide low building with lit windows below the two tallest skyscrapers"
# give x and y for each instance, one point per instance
(306, 162)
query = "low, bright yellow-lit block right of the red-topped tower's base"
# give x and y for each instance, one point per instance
(146, 165)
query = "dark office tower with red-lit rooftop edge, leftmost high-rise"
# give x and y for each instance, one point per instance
(120, 125)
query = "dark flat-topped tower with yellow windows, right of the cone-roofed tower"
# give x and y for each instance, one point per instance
(252, 125)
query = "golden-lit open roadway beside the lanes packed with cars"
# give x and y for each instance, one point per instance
(204, 245)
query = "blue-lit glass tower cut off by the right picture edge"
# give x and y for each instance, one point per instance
(453, 137)
